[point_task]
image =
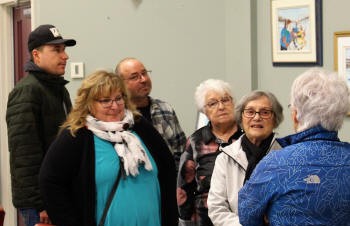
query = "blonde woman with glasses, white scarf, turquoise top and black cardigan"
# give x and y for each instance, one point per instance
(105, 140)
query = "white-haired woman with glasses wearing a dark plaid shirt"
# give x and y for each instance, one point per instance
(213, 98)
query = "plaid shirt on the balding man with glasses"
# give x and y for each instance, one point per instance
(165, 121)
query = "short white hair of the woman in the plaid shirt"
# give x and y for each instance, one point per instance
(204, 87)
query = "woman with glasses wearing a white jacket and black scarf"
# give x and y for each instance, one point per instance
(259, 113)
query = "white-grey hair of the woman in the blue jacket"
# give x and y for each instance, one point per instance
(320, 98)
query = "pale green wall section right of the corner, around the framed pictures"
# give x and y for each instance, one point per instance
(279, 79)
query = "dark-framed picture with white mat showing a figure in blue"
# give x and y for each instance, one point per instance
(296, 32)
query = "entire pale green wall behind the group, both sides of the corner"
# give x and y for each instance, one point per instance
(185, 42)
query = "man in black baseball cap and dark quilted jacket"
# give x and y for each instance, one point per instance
(36, 107)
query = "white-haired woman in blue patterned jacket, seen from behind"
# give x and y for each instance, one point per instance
(306, 182)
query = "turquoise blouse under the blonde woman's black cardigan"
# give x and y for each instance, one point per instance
(137, 199)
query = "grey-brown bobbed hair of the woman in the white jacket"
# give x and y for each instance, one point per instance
(256, 94)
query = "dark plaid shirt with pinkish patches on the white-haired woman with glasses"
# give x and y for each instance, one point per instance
(196, 167)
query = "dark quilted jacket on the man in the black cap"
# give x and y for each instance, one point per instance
(36, 107)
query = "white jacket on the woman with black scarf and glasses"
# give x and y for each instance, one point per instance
(227, 179)
